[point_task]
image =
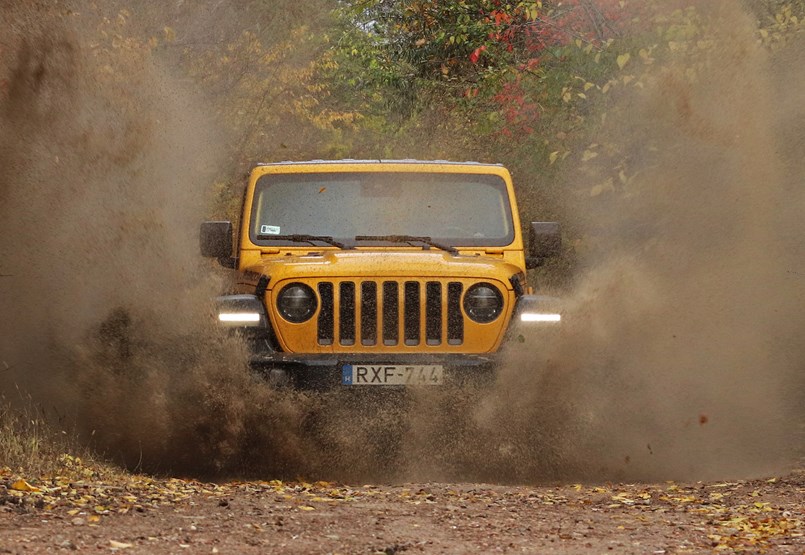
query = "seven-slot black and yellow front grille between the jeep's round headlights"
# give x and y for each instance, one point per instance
(390, 313)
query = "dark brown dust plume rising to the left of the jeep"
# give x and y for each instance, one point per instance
(104, 300)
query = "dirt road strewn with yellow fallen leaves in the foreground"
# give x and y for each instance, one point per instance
(143, 515)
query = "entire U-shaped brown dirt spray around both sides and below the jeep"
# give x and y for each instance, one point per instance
(681, 359)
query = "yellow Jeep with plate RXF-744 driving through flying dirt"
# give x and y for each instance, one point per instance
(379, 273)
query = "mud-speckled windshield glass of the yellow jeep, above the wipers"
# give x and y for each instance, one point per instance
(453, 209)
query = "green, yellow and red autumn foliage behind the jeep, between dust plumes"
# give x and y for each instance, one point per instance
(528, 83)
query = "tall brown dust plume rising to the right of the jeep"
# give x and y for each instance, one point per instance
(682, 353)
